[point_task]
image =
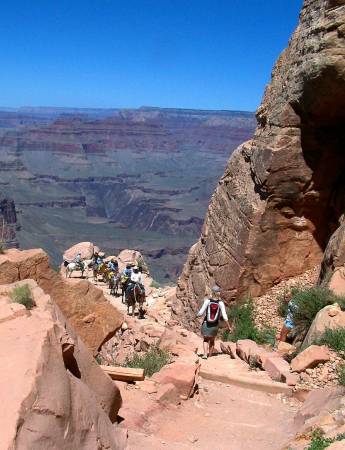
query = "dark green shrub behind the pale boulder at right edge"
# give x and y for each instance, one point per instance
(308, 302)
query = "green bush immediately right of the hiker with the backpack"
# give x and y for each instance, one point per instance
(242, 318)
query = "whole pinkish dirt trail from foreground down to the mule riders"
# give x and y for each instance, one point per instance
(231, 408)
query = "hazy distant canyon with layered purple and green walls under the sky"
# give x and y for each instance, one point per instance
(121, 178)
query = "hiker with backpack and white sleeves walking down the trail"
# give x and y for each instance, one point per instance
(215, 311)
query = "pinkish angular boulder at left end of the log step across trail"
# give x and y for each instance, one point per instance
(182, 376)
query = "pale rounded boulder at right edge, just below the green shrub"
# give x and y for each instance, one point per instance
(330, 316)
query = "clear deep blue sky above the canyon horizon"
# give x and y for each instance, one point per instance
(206, 54)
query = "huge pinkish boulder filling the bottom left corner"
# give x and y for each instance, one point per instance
(62, 399)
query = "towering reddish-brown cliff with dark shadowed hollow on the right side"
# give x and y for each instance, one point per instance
(282, 194)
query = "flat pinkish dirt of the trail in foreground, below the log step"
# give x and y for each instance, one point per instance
(220, 417)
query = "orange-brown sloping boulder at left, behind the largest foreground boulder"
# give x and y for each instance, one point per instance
(79, 300)
